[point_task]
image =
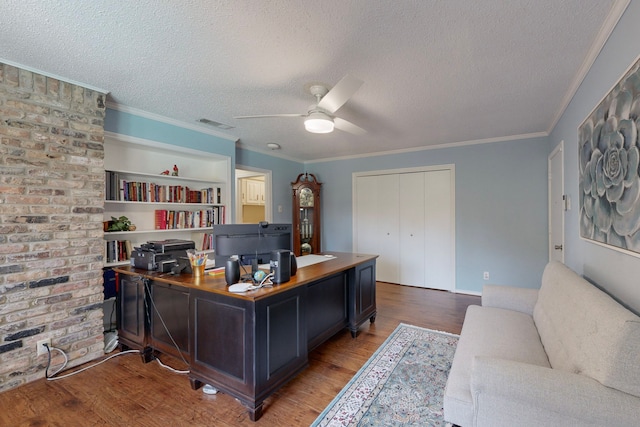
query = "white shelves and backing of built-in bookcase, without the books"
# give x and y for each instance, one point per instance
(143, 161)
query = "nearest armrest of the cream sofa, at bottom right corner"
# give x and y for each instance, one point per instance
(507, 393)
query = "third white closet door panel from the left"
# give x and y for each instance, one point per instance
(412, 225)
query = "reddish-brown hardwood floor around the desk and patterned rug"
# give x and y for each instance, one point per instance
(125, 392)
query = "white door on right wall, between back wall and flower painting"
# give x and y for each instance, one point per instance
(558, 204)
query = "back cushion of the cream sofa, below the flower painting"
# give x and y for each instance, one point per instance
(585, 331)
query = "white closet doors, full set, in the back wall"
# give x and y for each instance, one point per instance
(408, 219)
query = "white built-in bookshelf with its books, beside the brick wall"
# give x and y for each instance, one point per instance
(141, 184)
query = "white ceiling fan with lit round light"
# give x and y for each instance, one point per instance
(319, 118)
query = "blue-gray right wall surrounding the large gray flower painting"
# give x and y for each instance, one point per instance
(617, 272)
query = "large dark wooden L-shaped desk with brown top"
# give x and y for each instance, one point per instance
(247, 345)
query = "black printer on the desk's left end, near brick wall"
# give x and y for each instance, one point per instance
(160, 255)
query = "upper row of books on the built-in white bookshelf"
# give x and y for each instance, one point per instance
(141, 191)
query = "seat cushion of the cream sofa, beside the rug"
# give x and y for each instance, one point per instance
(489, 332)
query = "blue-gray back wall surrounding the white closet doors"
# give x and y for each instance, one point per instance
(501, 206)
